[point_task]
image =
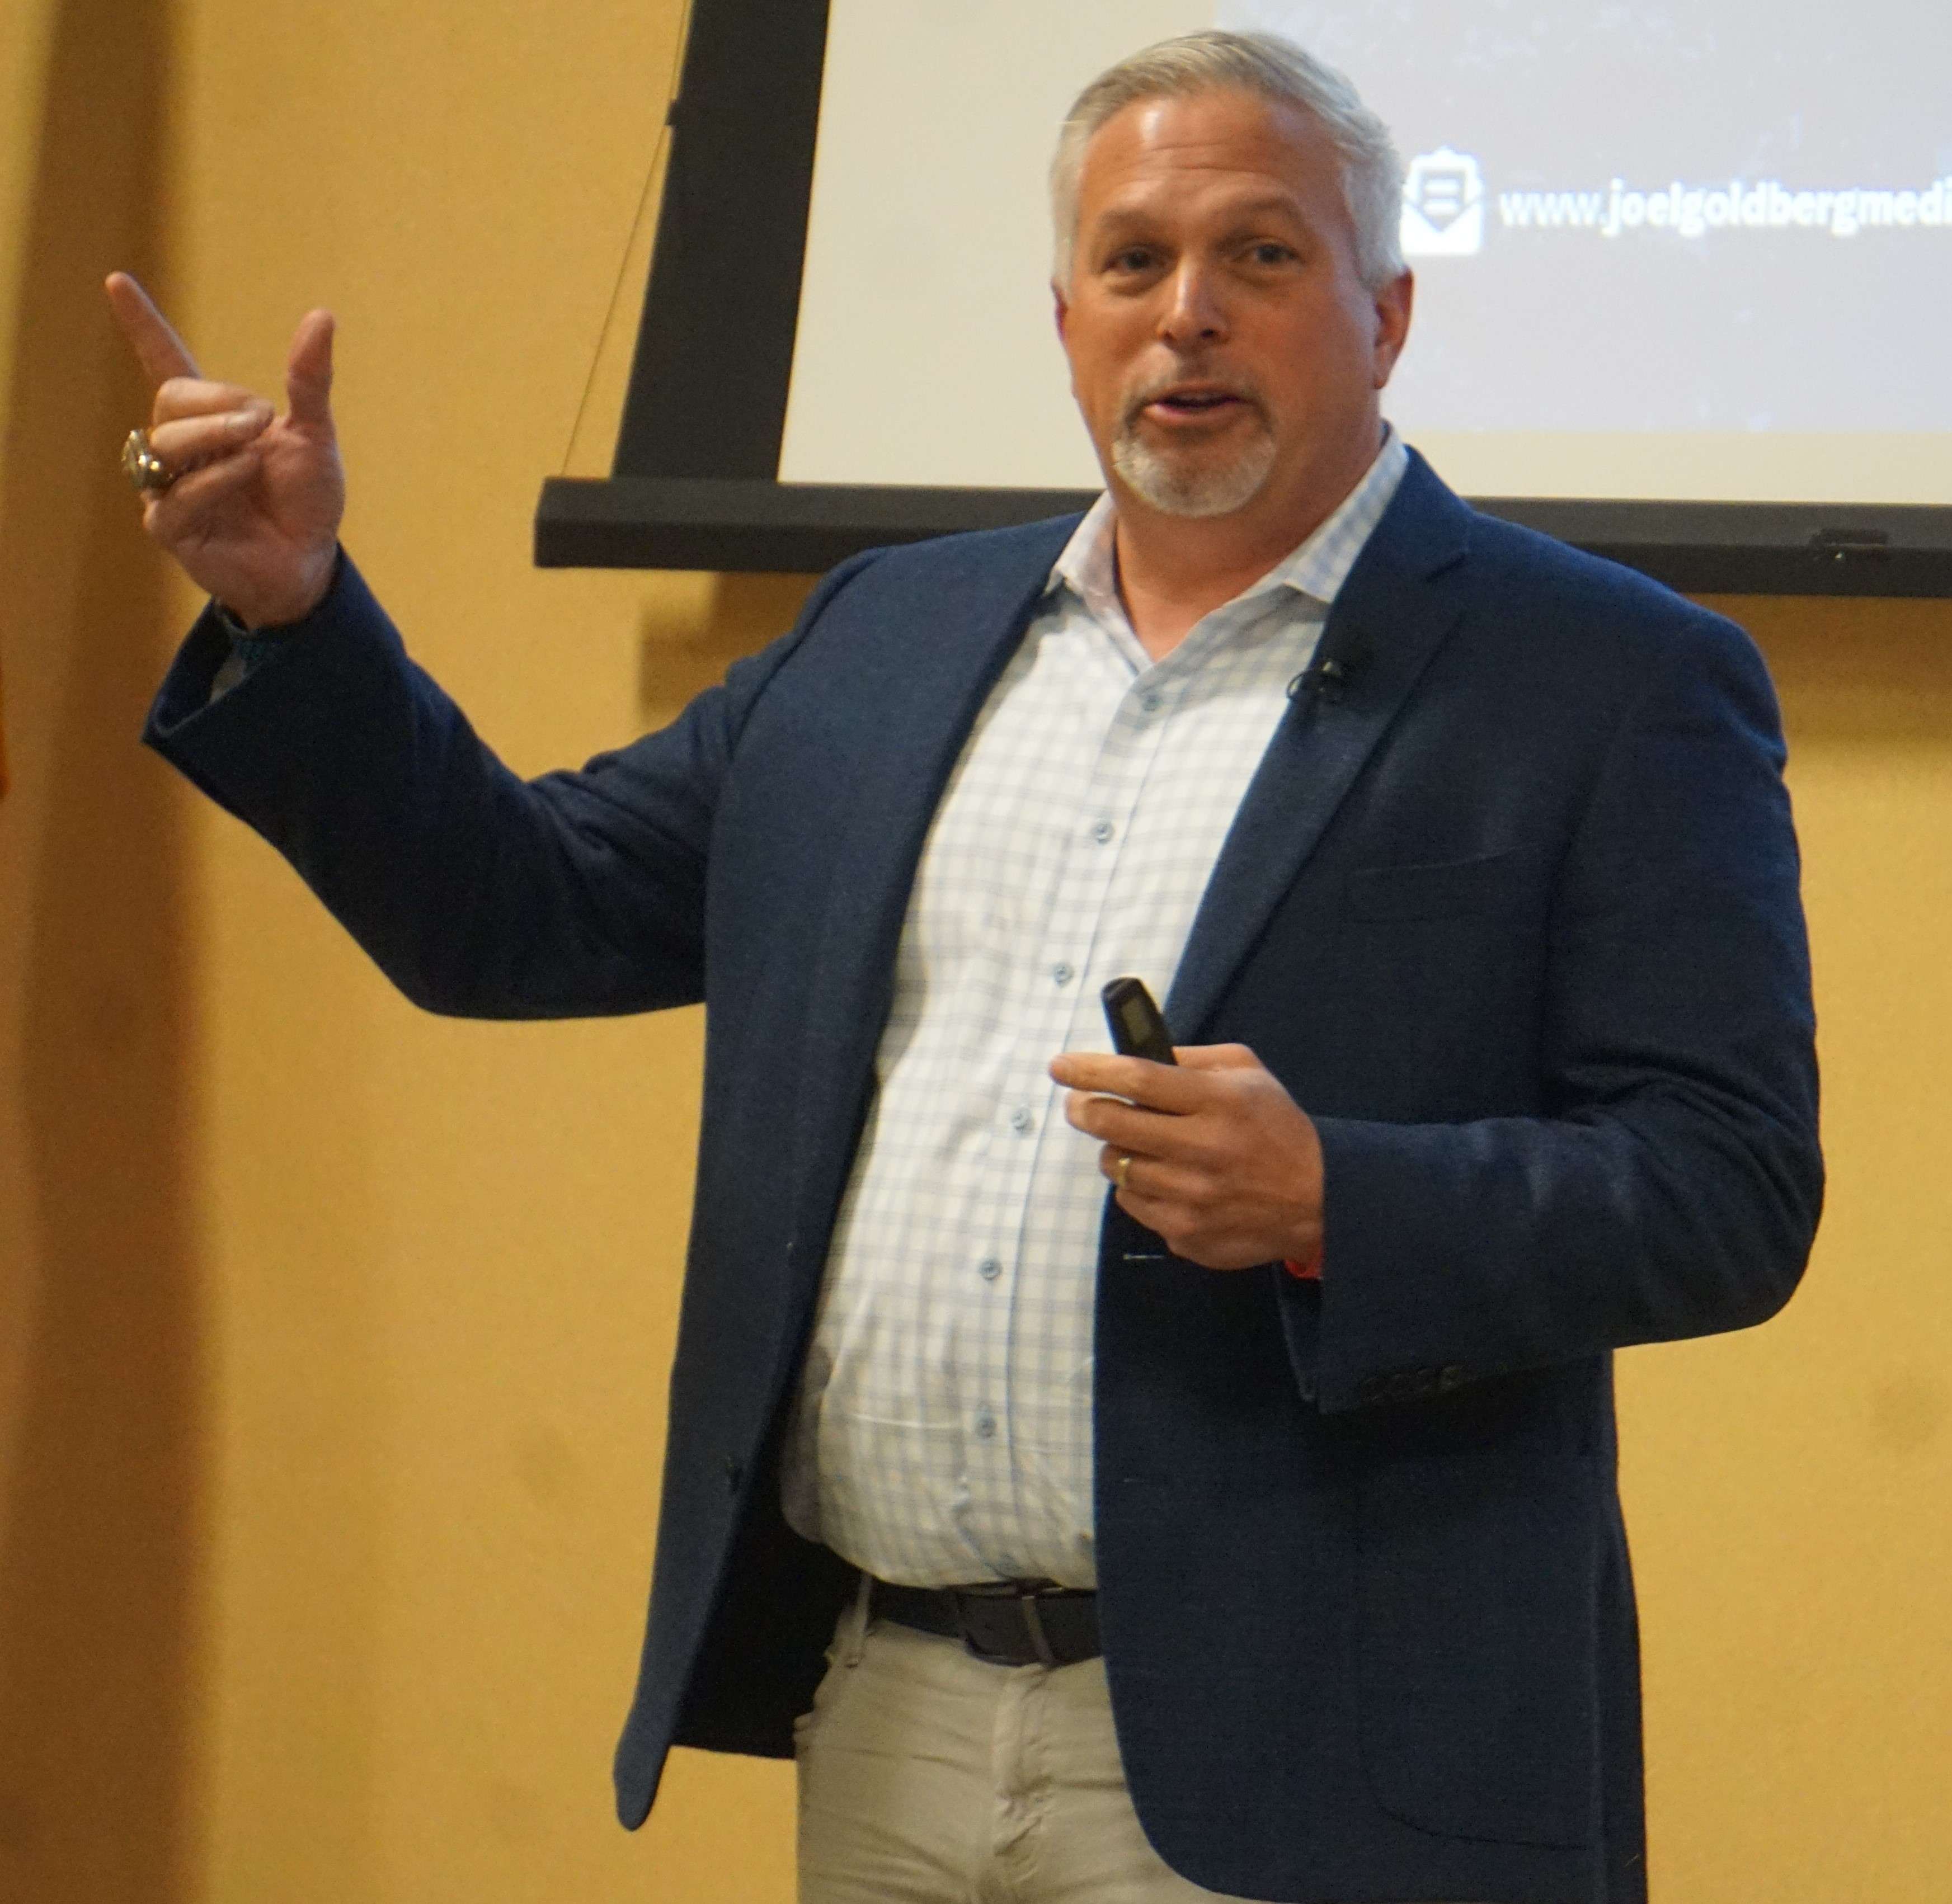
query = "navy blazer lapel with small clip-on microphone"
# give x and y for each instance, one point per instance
(1393, 615)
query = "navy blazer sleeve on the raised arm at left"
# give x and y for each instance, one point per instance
(477, 892)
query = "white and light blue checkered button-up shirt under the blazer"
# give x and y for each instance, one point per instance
(944, 1421)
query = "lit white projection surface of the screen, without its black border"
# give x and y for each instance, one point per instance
(1674, 253)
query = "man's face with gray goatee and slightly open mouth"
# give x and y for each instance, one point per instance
(1225, 352)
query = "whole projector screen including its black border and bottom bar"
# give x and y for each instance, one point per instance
(1684, 278)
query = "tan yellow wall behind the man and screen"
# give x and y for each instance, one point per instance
(333, 1337)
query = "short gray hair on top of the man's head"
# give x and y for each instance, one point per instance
(1276, 69)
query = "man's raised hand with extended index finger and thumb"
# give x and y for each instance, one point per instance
(255, 504)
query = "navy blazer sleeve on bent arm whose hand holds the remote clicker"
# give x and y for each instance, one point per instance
(1674, 1185)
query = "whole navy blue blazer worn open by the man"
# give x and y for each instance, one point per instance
(1514, 914)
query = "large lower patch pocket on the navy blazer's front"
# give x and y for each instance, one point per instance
(1479, 1606)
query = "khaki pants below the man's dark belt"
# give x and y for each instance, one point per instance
(932, 1778)
